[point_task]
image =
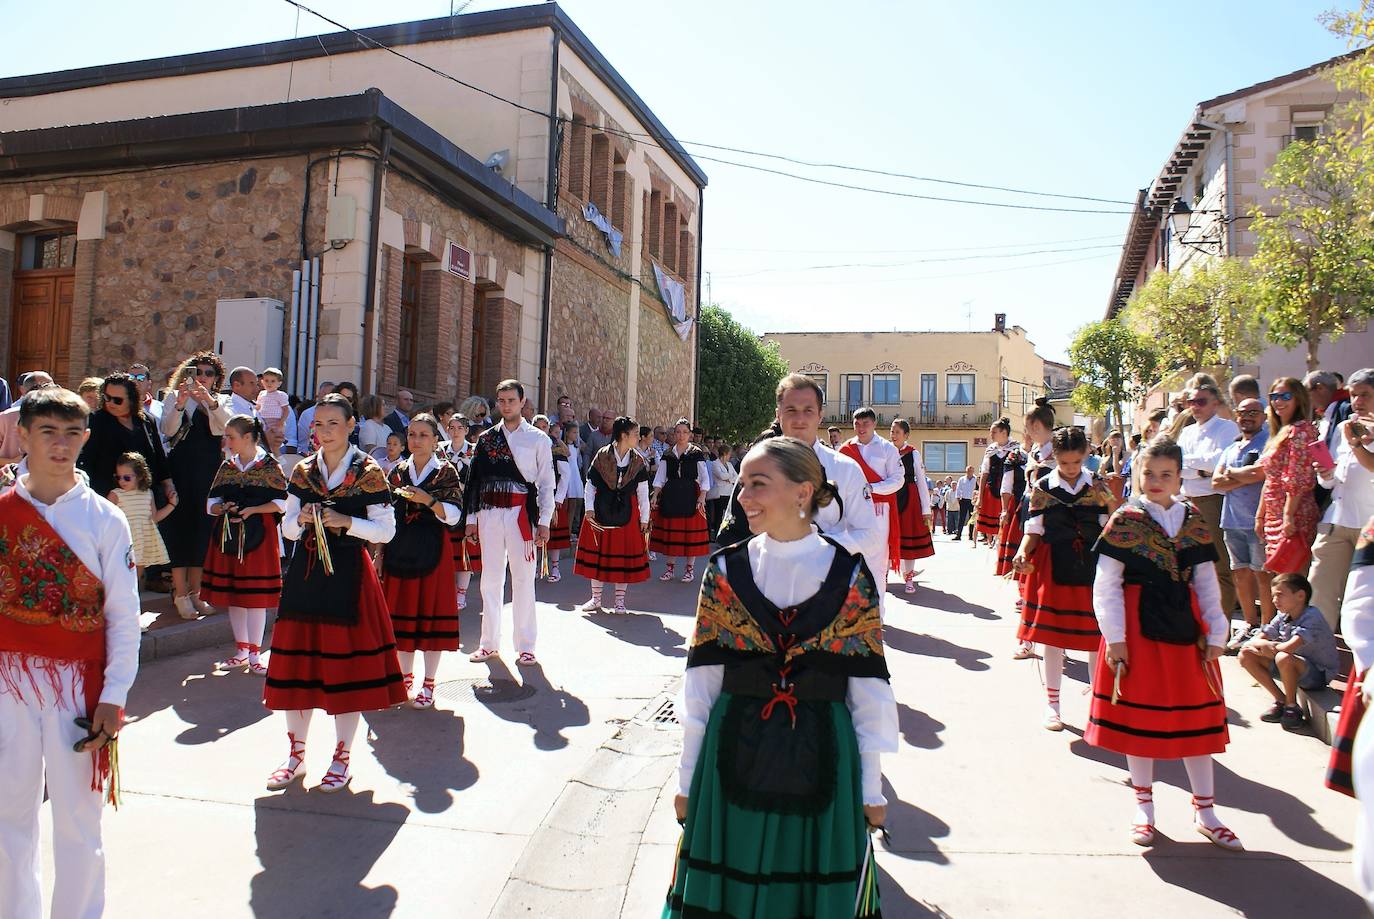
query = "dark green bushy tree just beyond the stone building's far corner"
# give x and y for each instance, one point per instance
(739, 377)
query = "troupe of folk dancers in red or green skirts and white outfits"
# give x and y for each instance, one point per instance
(787, 660)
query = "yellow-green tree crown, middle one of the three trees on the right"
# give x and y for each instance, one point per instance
(1202, 318)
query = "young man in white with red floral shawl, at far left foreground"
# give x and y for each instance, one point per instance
(74, 655)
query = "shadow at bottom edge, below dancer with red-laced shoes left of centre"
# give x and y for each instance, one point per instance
(314, 865)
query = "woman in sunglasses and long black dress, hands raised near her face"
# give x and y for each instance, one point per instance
(194, 417)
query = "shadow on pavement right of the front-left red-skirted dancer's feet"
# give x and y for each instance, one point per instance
(424, 751)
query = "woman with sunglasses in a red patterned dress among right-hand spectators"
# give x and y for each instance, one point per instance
(1288, 503)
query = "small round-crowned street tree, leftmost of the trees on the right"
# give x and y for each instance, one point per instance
(1114, 365)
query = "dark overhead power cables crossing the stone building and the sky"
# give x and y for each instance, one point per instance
(646, 139)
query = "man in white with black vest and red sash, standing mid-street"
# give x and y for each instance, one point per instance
(508, 461)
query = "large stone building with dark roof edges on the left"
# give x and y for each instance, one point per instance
(519, 214)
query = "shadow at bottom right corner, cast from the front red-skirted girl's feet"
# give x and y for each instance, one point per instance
(1254, 884)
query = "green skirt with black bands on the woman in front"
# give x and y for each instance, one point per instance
(737, 863)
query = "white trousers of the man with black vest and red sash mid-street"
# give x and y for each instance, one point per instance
(504, 546)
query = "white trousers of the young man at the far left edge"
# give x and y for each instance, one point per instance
(36, 737)
